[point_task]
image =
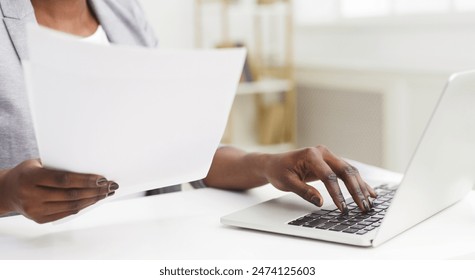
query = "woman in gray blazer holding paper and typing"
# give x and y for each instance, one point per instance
(46, 195)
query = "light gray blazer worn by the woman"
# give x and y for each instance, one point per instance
(123, 22)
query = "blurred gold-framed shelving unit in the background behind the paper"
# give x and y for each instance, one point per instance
(269, 71)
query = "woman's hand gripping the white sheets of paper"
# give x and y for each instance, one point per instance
(45, 195)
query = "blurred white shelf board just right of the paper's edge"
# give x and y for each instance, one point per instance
(264, 86)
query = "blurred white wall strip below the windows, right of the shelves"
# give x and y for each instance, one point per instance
(409, 44)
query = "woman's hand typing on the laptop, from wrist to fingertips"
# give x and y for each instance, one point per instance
(290, 172)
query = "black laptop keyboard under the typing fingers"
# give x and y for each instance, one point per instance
(355, 221)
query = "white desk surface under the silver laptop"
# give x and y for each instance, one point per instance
(186, 225)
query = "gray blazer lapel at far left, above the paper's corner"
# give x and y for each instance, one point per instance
(17, 13)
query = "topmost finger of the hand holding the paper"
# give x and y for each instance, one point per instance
(64, 179)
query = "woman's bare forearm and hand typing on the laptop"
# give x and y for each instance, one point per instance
(236, 170)
